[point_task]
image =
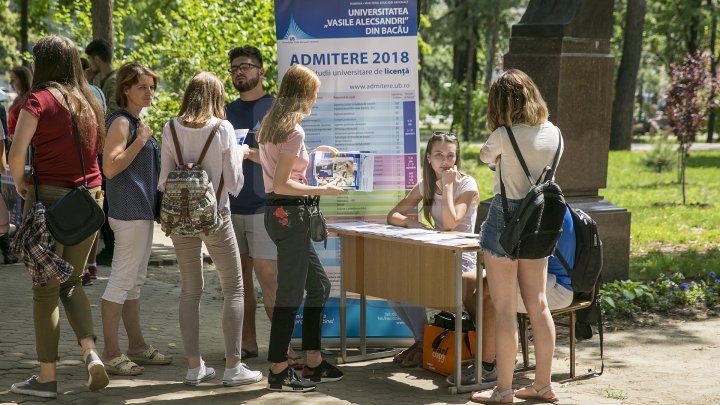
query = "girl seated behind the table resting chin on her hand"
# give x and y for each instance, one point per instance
(449, 200)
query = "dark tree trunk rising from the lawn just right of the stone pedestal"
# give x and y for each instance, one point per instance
(625, 84)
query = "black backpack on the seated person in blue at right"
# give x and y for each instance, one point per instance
(588, 253)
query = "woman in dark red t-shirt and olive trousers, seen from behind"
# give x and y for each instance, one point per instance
(45, 122)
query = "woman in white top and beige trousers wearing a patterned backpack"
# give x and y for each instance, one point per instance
(203, 107)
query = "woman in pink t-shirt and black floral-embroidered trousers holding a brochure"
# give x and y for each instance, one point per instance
(284, 160)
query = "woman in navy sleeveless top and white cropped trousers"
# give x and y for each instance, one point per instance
(132, 169)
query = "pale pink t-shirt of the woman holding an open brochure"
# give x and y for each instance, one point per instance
(270, 154)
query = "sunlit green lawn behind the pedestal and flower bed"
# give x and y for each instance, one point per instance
(666, 237)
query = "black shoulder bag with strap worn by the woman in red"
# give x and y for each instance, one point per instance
(76, 216)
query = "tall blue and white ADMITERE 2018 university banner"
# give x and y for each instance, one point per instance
(366, 55)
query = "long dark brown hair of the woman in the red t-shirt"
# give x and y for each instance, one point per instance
(57, 65)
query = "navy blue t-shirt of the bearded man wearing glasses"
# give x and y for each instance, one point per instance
(247, 115)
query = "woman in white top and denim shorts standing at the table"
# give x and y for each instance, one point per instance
(514, 101)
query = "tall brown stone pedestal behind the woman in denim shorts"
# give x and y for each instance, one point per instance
(564, 45)
